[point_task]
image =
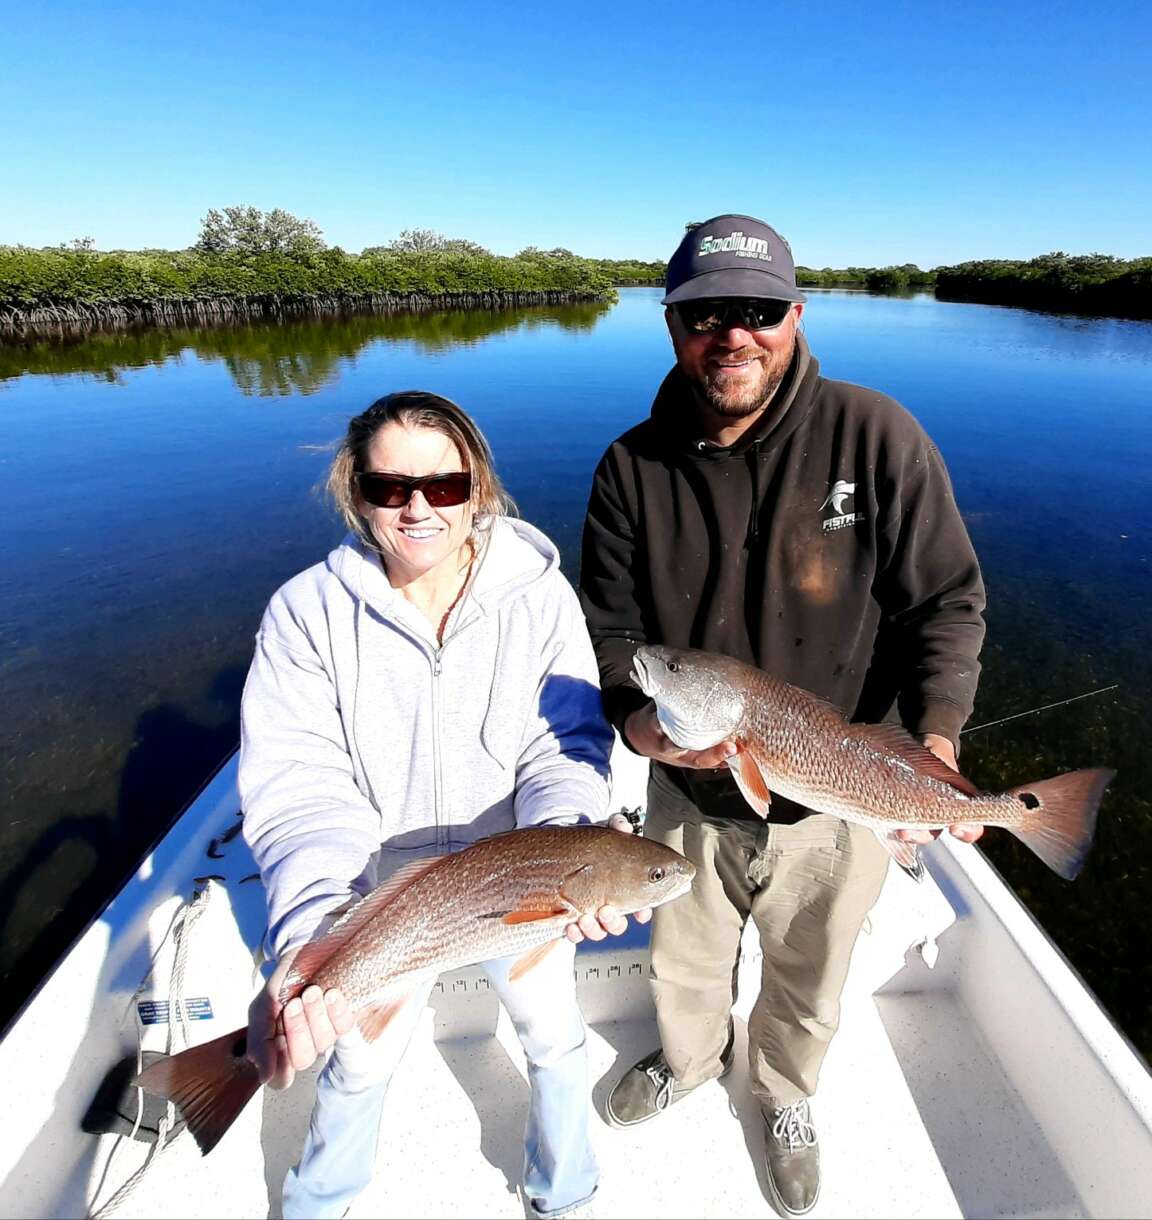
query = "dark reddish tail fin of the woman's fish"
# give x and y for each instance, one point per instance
(211, 1084)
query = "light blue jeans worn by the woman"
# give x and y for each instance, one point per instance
(560, 1168)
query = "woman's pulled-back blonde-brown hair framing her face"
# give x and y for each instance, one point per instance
(417, 409)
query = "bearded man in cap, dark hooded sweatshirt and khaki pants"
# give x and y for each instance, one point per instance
(806, 526)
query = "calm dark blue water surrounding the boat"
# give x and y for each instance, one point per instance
(157, 489)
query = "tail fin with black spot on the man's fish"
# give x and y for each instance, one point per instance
(1061, 818)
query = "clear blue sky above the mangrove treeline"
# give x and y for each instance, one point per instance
(867, 134)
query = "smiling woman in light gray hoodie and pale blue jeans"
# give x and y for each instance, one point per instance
(430, 684)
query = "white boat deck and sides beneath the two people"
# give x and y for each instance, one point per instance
(992, 1085)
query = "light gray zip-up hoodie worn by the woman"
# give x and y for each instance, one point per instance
(361, 731)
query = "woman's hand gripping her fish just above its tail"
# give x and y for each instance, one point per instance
(284, 1040)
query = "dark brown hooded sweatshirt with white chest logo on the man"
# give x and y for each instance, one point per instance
(826, 547)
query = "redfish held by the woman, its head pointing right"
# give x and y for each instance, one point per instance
(513, 894)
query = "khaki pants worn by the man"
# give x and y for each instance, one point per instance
(808, 889)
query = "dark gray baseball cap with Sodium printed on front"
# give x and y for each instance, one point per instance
(732, 256)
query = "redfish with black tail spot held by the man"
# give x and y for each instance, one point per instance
(796, 745)
